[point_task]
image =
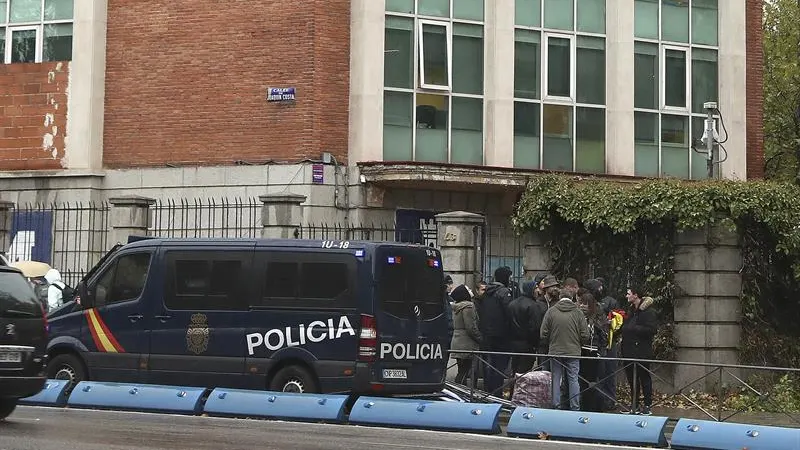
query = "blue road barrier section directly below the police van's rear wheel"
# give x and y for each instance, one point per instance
(277, 405)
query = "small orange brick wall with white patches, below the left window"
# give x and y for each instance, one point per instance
(33, 115)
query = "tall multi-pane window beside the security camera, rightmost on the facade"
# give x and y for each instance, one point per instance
(675, 57)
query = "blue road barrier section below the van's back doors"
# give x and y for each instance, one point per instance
(421, 414)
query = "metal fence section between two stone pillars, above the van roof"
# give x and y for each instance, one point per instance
(198, 218)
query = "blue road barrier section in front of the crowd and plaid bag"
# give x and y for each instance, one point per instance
(588, 427)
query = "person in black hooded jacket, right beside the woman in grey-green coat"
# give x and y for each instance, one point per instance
(494, 325)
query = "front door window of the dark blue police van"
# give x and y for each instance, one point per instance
(123, 281)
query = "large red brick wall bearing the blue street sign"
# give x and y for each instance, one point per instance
(186, 81)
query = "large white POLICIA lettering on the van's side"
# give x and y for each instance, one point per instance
(295, 336)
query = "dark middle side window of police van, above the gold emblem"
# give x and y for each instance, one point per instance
(206, 280)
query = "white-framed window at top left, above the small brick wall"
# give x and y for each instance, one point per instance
(35, 30)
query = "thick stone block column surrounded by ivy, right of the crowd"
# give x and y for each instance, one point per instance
(707, 305)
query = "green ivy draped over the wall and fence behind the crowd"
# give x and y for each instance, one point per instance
(624, 231)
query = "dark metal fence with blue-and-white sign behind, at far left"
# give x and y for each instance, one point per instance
(70, 236)
